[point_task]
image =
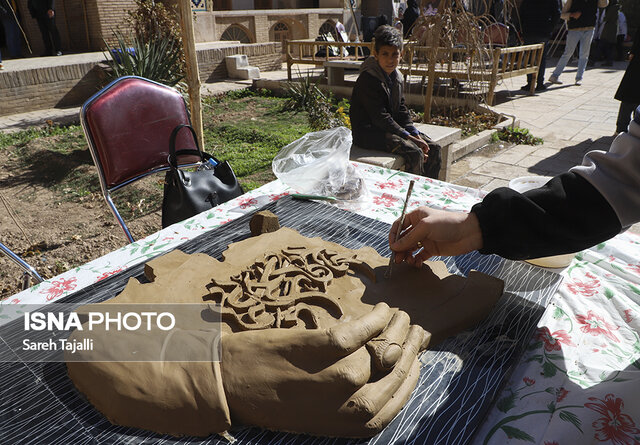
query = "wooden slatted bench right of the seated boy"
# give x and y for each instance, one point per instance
(490, 65)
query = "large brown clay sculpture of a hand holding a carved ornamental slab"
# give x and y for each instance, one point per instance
(314, 339)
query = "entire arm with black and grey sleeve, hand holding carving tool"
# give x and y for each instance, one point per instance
(575, 210)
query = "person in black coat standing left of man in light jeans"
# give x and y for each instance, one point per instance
(538, 19)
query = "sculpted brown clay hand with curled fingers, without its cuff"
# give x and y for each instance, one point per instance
(319, 381)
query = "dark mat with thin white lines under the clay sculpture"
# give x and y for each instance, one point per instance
(458, 382)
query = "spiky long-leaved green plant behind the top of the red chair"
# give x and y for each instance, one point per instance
(156, 60)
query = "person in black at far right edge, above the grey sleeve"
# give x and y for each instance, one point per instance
(628, 92)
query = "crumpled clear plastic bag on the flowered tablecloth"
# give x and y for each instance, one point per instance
(318, 164)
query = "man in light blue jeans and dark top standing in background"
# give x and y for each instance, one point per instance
(581, 20)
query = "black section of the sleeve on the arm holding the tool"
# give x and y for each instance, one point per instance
(566, 215)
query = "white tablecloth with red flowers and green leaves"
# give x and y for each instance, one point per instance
(579, 379)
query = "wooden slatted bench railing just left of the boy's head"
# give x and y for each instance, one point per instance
(304, 52)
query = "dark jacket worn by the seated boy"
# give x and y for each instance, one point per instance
(377, 107)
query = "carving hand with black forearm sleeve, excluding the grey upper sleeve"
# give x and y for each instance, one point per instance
(566, 215)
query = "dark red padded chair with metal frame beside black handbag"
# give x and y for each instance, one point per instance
(127, 125)
